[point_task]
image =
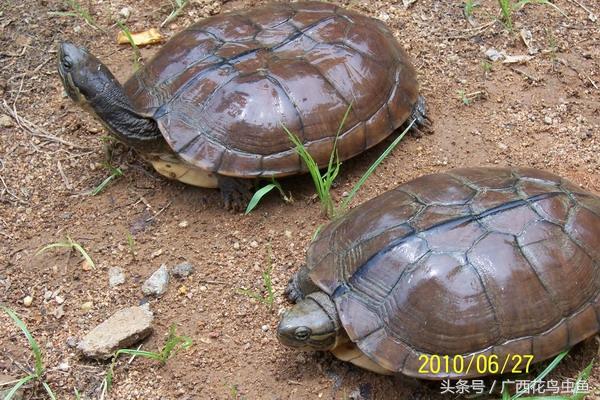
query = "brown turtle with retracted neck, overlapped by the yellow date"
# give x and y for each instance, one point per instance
(474, 262)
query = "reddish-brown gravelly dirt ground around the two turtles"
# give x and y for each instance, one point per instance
(542, 113)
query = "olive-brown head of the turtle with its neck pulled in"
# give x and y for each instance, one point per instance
(311, 324)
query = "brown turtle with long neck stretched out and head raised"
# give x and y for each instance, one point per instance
(208, 108)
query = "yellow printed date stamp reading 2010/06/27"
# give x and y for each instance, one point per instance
(480, 364)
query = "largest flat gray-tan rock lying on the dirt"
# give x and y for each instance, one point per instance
(123, 329)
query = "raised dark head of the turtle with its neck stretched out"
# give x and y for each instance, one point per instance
(83, 75)
